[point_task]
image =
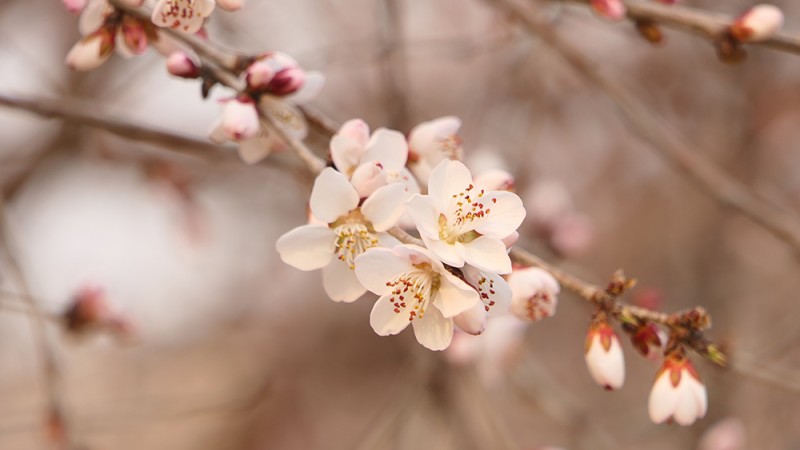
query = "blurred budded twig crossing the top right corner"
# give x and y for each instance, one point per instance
(707, 24)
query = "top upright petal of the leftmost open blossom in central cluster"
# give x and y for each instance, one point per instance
(332, 196)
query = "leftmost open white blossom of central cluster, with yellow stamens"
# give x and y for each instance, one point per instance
(348, 228)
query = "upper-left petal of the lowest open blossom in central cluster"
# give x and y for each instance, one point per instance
(377, 266)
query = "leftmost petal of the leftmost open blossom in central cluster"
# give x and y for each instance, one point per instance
(307, 247)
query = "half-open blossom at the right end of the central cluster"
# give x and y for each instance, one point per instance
(534, 293)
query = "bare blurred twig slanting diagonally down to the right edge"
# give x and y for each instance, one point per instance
(653, 129)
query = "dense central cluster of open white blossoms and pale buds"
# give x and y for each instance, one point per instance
(457, 275)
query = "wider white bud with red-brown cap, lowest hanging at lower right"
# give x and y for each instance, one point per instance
(677, 392)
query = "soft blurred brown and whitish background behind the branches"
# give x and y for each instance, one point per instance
(229, 348)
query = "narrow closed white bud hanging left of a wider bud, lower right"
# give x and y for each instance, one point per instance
(604, 356)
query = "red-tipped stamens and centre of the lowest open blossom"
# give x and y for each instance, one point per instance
(412, 291)
